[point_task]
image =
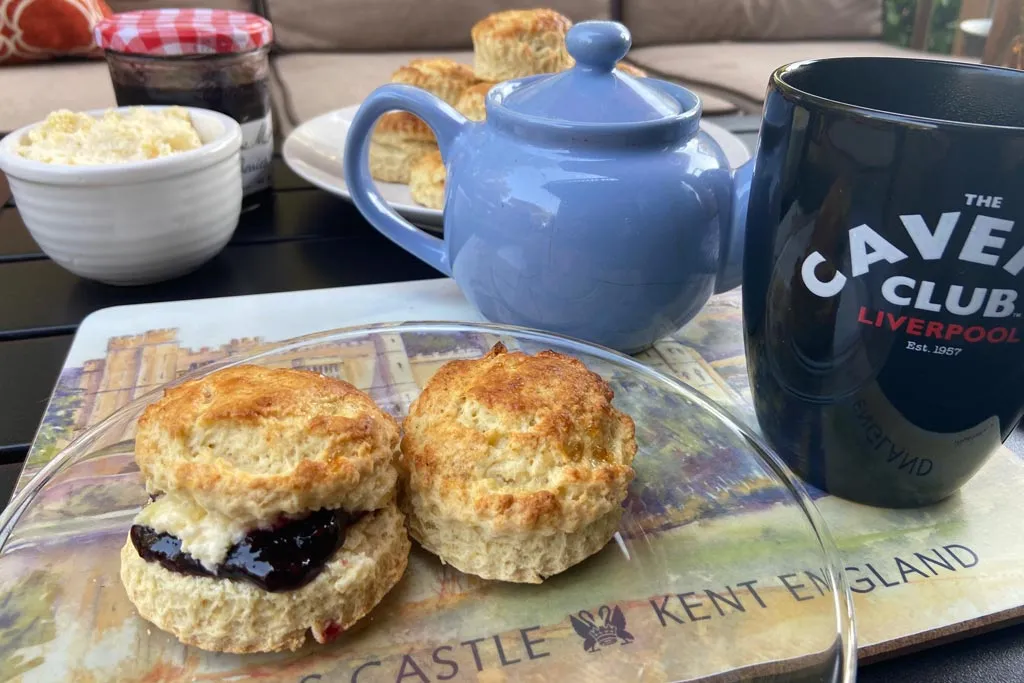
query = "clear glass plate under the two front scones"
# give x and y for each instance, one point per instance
(722, 570)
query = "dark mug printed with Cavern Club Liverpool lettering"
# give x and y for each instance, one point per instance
(883, 271)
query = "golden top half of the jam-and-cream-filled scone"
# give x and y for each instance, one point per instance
(254, 443)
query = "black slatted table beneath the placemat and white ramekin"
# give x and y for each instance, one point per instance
(300, 238)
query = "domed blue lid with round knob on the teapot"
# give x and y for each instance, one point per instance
(593, 92)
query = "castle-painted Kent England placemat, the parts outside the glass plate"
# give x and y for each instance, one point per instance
(918, 576)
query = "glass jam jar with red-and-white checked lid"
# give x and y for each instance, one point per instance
(210, 59)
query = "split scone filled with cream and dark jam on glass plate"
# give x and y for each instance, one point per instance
(273, 514)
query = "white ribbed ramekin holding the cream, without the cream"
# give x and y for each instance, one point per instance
(134, 223)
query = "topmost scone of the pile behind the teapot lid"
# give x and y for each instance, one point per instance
(518, 44)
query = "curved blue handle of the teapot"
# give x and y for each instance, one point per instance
(447, 124)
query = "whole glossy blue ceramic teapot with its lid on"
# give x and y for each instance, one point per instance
(589, 203)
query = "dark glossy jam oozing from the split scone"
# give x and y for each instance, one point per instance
(282, 559)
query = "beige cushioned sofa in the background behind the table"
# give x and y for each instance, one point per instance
(331, 54)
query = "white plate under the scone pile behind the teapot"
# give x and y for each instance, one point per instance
(316, 149)
